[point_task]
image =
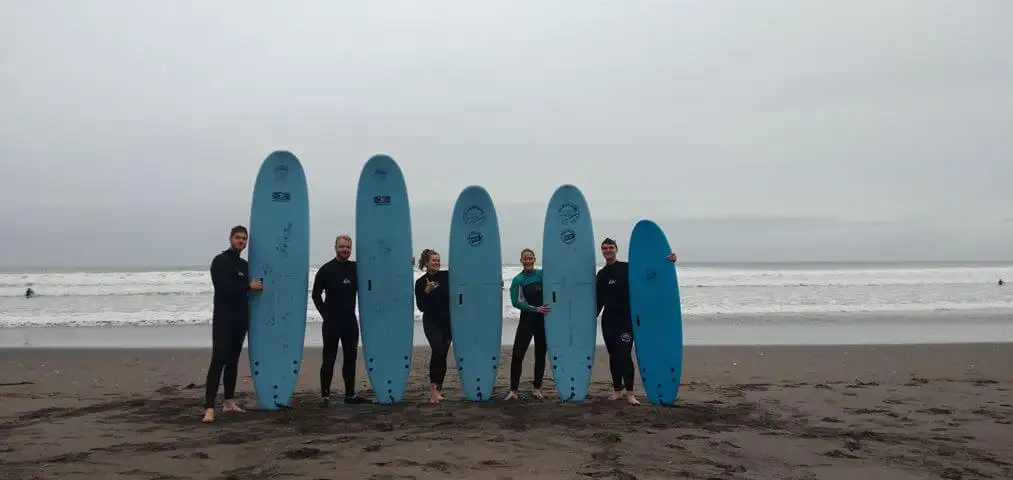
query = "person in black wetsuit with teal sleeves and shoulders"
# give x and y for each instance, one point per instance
(526, 296)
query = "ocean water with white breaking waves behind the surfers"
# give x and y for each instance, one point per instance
(733, 296)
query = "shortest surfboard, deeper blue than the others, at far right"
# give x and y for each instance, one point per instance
(657, 312)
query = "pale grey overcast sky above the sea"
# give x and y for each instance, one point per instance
(132, 132)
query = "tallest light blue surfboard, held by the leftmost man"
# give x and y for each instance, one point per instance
(280, 257)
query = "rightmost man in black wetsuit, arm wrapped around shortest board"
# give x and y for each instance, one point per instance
(613, 292)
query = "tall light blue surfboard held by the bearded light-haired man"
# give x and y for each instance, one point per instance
(386, 286)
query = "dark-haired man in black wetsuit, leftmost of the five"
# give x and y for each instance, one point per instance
(229, 322)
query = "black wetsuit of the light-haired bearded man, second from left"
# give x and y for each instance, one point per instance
(338, 281)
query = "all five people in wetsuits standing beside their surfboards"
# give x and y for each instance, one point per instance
(335, 292)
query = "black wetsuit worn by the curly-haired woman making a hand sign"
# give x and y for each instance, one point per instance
(436, 322)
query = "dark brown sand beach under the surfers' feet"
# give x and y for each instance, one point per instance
(842, 413)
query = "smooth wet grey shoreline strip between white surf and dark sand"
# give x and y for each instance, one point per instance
(699, 331)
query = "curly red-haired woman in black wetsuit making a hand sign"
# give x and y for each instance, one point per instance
(433, 299)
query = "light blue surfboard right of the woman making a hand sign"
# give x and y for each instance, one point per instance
(477, 292)
